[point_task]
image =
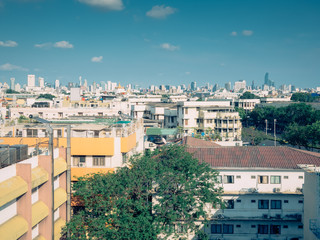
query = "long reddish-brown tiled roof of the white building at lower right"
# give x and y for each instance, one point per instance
(254, 157)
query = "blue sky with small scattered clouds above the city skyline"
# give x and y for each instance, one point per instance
(154, 42)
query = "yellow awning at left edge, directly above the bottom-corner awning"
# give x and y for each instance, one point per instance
(12, 188)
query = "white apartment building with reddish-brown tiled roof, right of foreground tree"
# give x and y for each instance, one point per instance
(263, 192)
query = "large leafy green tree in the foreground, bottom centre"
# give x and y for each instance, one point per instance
(156, 192)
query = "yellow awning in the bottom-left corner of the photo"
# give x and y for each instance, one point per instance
(13, 228)
